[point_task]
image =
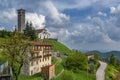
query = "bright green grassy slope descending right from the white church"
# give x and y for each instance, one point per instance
(59, 46)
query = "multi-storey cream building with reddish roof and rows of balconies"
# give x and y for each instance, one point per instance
(40, 57)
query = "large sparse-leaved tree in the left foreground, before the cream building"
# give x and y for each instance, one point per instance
(15, 51)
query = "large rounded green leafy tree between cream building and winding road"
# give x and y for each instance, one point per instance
(76, 62)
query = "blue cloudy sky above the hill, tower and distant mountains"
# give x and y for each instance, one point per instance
(80, 24)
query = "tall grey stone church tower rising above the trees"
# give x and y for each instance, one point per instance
(21, 20)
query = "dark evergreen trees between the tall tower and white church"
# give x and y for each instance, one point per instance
(30, 31)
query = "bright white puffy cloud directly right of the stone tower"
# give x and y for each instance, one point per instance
(37, 20)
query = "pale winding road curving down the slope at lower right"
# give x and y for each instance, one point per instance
(100, 74)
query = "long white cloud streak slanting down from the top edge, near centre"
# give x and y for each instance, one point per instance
(53, 13)
